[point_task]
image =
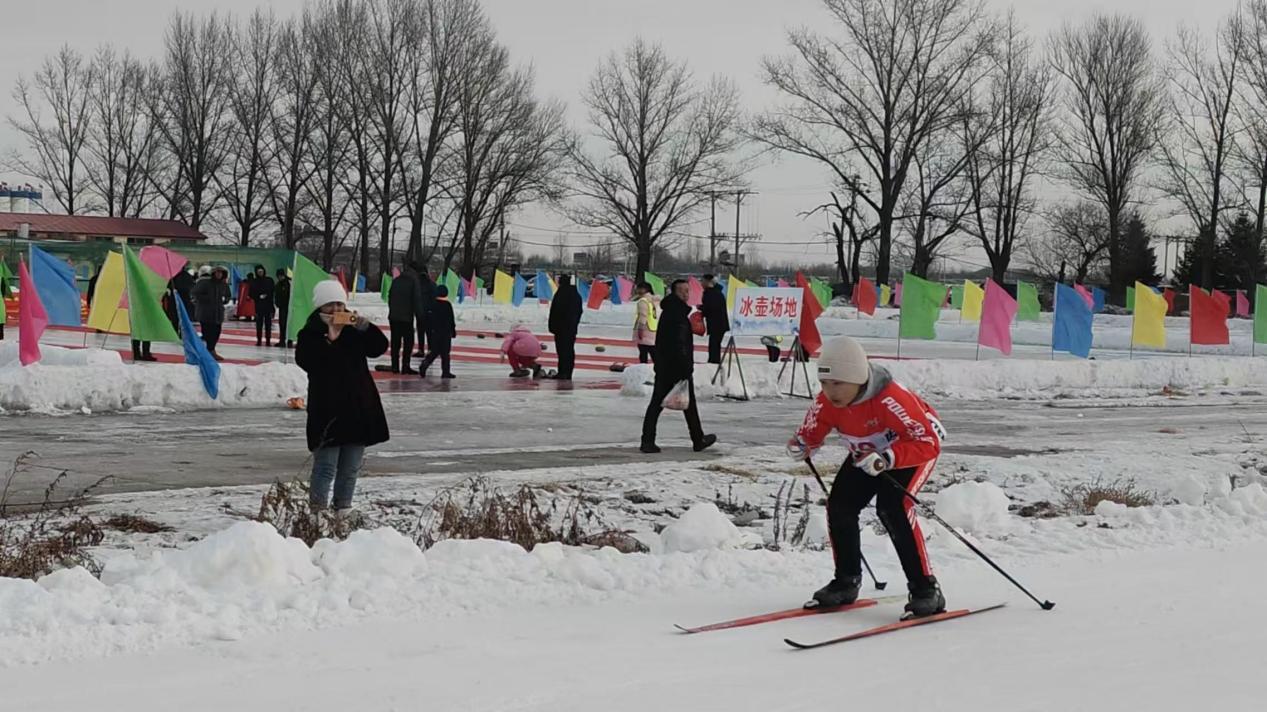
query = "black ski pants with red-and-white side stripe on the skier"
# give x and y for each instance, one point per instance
(852, 492)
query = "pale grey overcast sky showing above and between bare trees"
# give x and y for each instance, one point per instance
(564, 40)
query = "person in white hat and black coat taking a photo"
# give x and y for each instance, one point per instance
(345, 412)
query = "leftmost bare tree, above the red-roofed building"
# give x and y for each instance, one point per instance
(58, 141)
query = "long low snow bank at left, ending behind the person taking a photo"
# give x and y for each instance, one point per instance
(101, 382)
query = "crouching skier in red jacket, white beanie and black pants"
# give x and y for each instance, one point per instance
(889, 430)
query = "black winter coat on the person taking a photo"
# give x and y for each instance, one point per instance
(344, 406)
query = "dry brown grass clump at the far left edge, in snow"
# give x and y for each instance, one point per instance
(53, 535)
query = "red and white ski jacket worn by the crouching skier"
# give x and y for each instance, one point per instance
(888, 419)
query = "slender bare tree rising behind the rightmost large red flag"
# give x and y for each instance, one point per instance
(1198, 144)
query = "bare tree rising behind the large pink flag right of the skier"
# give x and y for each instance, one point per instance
(1002, 173)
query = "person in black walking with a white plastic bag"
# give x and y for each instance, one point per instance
(675, 363)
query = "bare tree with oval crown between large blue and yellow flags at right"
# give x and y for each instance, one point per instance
(1114, 103)
